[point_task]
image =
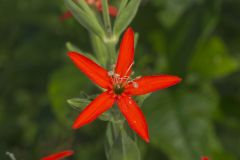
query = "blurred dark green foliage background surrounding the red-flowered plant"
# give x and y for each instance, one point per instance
(198, 40)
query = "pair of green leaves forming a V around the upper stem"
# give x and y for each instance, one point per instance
(87, 18)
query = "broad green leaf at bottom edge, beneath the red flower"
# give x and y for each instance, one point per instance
(119, 146)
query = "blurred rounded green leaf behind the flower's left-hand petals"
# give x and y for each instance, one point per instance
(65, 83)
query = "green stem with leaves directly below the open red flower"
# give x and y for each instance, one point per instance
(120, 142)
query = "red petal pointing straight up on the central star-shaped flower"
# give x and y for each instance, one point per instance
(126, 54)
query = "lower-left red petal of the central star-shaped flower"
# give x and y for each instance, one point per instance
(99, 105)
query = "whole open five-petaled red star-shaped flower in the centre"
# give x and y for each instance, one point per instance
(120, 87)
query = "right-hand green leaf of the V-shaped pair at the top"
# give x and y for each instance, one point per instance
(126, 16)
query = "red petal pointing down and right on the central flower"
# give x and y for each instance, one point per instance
(134, 116)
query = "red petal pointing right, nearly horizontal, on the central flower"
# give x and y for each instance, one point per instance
(149, 84)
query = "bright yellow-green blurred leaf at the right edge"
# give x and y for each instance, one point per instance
(213, 60)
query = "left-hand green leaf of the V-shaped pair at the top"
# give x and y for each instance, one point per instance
(89, 21)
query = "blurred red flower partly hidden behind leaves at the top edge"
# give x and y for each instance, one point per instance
(97, 4)
